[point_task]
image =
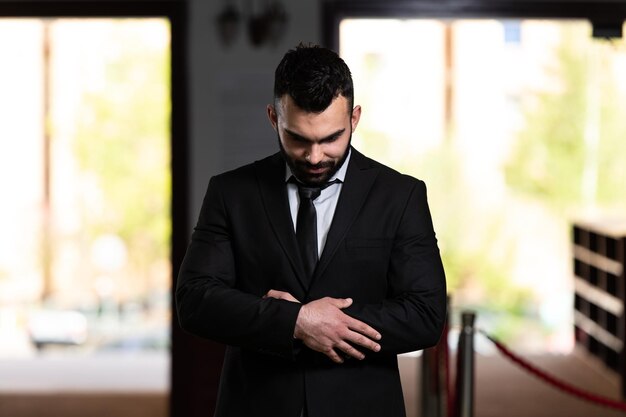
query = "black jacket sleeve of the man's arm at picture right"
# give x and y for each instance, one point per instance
(413, 314)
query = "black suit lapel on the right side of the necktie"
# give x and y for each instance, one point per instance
(360, 176)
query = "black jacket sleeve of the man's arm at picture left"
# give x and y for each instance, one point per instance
(210, 305)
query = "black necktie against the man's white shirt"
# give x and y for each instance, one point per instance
(306, 225)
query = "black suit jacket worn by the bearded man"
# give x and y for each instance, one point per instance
(381, 251)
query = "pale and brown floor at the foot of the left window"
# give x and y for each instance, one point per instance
(106, 385)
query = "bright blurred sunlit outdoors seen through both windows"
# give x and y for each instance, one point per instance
(514, 125)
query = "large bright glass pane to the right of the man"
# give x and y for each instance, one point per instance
(515, 126)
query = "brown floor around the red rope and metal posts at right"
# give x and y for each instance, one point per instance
(505, 390)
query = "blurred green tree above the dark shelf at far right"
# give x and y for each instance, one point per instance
(570, 150)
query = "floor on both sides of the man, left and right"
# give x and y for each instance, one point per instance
(502, 389)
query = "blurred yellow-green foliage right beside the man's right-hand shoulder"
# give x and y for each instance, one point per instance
(476, 256)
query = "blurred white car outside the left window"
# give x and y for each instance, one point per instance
(57, 327)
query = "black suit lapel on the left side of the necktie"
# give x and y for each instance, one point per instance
(271, 178)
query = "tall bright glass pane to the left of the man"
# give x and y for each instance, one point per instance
(85, 265)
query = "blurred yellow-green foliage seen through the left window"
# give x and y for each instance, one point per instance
(123, 143)
